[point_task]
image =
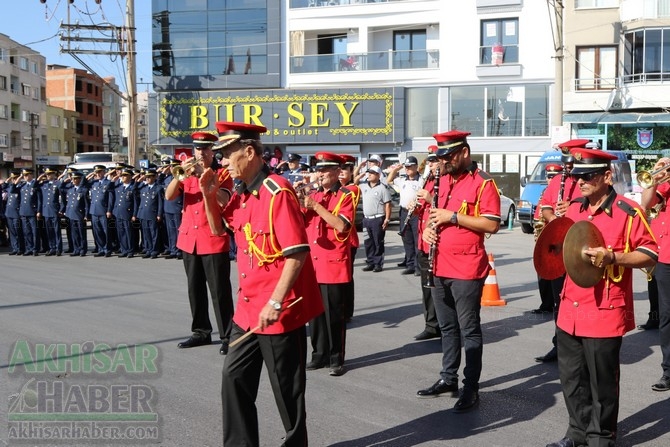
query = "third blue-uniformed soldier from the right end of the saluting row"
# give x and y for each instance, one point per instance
(124, 208)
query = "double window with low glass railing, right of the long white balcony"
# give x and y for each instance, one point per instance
(499, 42)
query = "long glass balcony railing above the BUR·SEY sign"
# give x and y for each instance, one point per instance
(376, 60)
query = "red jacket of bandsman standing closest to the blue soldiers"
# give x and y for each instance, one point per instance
(195, 236)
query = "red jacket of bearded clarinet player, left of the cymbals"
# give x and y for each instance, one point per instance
(460, 251)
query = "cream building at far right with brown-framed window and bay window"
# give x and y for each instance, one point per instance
(617, 74)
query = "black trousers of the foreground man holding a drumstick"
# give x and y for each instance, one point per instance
(284, 356)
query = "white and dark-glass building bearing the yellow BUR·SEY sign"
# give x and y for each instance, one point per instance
(361, 77)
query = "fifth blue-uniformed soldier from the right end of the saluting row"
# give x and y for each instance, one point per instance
(76, 209)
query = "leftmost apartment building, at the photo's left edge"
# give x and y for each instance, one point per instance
(22, 105)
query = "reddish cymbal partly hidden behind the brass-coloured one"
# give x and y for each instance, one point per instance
(548, 253)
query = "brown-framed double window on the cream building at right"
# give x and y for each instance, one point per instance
(596, 68)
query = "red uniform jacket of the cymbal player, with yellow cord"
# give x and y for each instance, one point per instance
(606, 309)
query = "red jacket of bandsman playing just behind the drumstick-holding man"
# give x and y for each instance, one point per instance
(330, 249)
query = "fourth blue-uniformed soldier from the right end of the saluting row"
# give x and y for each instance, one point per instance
(101, 210)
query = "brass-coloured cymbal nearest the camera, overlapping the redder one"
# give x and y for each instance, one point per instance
(580, 237)
